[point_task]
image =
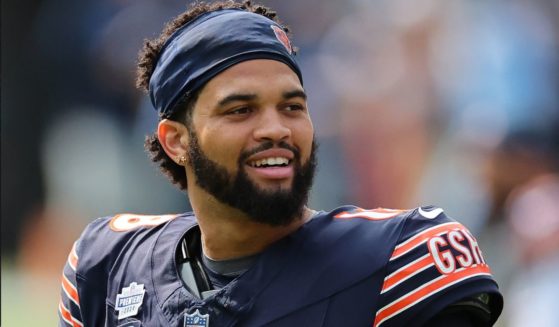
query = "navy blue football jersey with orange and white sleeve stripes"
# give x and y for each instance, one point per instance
(348, 267)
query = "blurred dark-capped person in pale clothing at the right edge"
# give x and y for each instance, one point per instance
(523, 234)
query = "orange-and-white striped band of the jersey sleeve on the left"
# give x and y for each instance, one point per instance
(69, 306)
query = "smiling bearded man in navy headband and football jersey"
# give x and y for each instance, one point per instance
(235, 133)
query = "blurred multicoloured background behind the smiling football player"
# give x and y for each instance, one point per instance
(447, 102)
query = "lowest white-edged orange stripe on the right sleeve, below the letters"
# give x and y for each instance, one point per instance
(428, 289)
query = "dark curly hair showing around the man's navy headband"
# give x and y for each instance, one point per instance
(146, 64)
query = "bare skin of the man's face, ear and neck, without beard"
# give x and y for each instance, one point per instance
(252, 102)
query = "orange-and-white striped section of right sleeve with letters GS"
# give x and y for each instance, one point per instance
(426, 265)
